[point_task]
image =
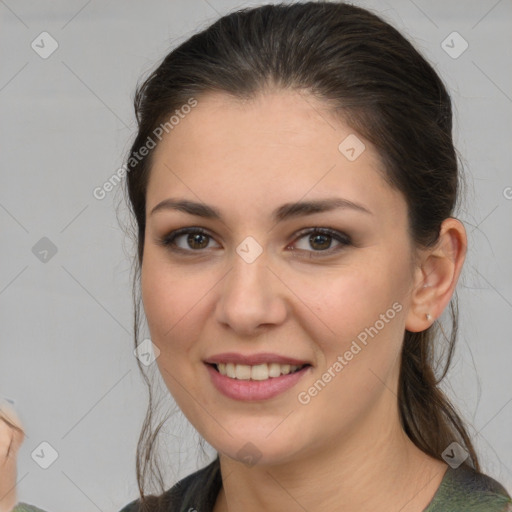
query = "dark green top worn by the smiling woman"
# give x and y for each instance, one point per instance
(461, 490)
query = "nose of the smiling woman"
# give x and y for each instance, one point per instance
(252, 296)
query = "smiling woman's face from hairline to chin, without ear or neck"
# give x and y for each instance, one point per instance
(262, 287)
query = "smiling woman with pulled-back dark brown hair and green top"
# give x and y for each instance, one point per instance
(293, 182)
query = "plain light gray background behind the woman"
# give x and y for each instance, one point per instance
(66, 123)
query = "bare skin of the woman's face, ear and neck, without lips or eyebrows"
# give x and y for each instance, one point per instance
(345, 448)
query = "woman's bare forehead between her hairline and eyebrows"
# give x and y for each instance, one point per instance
(277, 147)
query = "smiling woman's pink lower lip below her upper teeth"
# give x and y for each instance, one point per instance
(251, 390)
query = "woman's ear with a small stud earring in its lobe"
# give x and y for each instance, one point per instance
(436, 276)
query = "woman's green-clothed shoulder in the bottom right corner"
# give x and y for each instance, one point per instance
(466, 490)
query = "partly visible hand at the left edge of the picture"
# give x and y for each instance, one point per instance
(11, 438)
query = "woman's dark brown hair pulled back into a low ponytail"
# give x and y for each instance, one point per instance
(384, 90)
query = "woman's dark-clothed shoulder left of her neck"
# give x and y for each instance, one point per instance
(197, 491)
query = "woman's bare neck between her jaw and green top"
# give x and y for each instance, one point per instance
(374, 467)
